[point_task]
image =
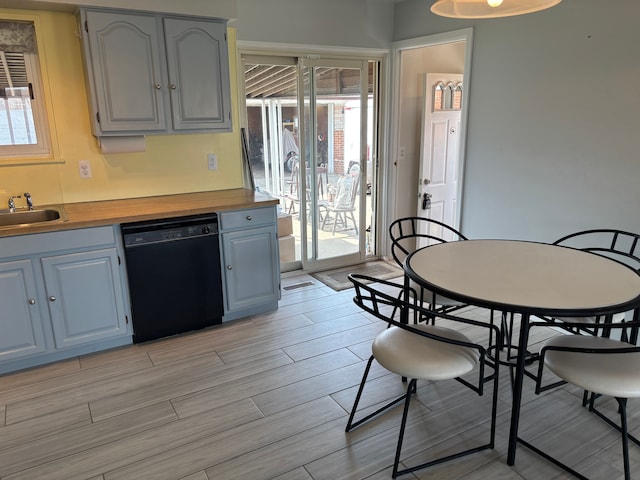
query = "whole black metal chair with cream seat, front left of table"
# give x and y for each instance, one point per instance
(421, 352)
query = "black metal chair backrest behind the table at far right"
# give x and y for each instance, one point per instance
(618, 245)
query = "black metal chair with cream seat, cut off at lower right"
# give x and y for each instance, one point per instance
(596, 364)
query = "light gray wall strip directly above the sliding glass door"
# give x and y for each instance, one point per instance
(348, 23)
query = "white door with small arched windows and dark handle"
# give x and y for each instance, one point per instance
(439, 158)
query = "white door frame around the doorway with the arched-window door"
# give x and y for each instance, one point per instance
(463, 35)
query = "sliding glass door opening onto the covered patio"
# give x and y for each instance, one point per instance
(312, 144)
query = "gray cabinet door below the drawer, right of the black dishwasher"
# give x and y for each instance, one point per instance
(251, 268)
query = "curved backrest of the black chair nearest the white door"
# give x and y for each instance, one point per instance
(405, 233)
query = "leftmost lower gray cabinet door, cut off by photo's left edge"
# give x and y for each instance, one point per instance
(21, 332)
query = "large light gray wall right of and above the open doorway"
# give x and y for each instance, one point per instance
(553, 141)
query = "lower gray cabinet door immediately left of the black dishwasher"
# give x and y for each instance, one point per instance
(85, 298)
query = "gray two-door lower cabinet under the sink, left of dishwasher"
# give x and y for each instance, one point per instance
(64, 301)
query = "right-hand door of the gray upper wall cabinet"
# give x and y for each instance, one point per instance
(198, 64)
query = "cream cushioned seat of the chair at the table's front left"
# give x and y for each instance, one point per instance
(413, 356)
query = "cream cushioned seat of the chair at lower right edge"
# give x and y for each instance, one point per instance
(614, 374)
